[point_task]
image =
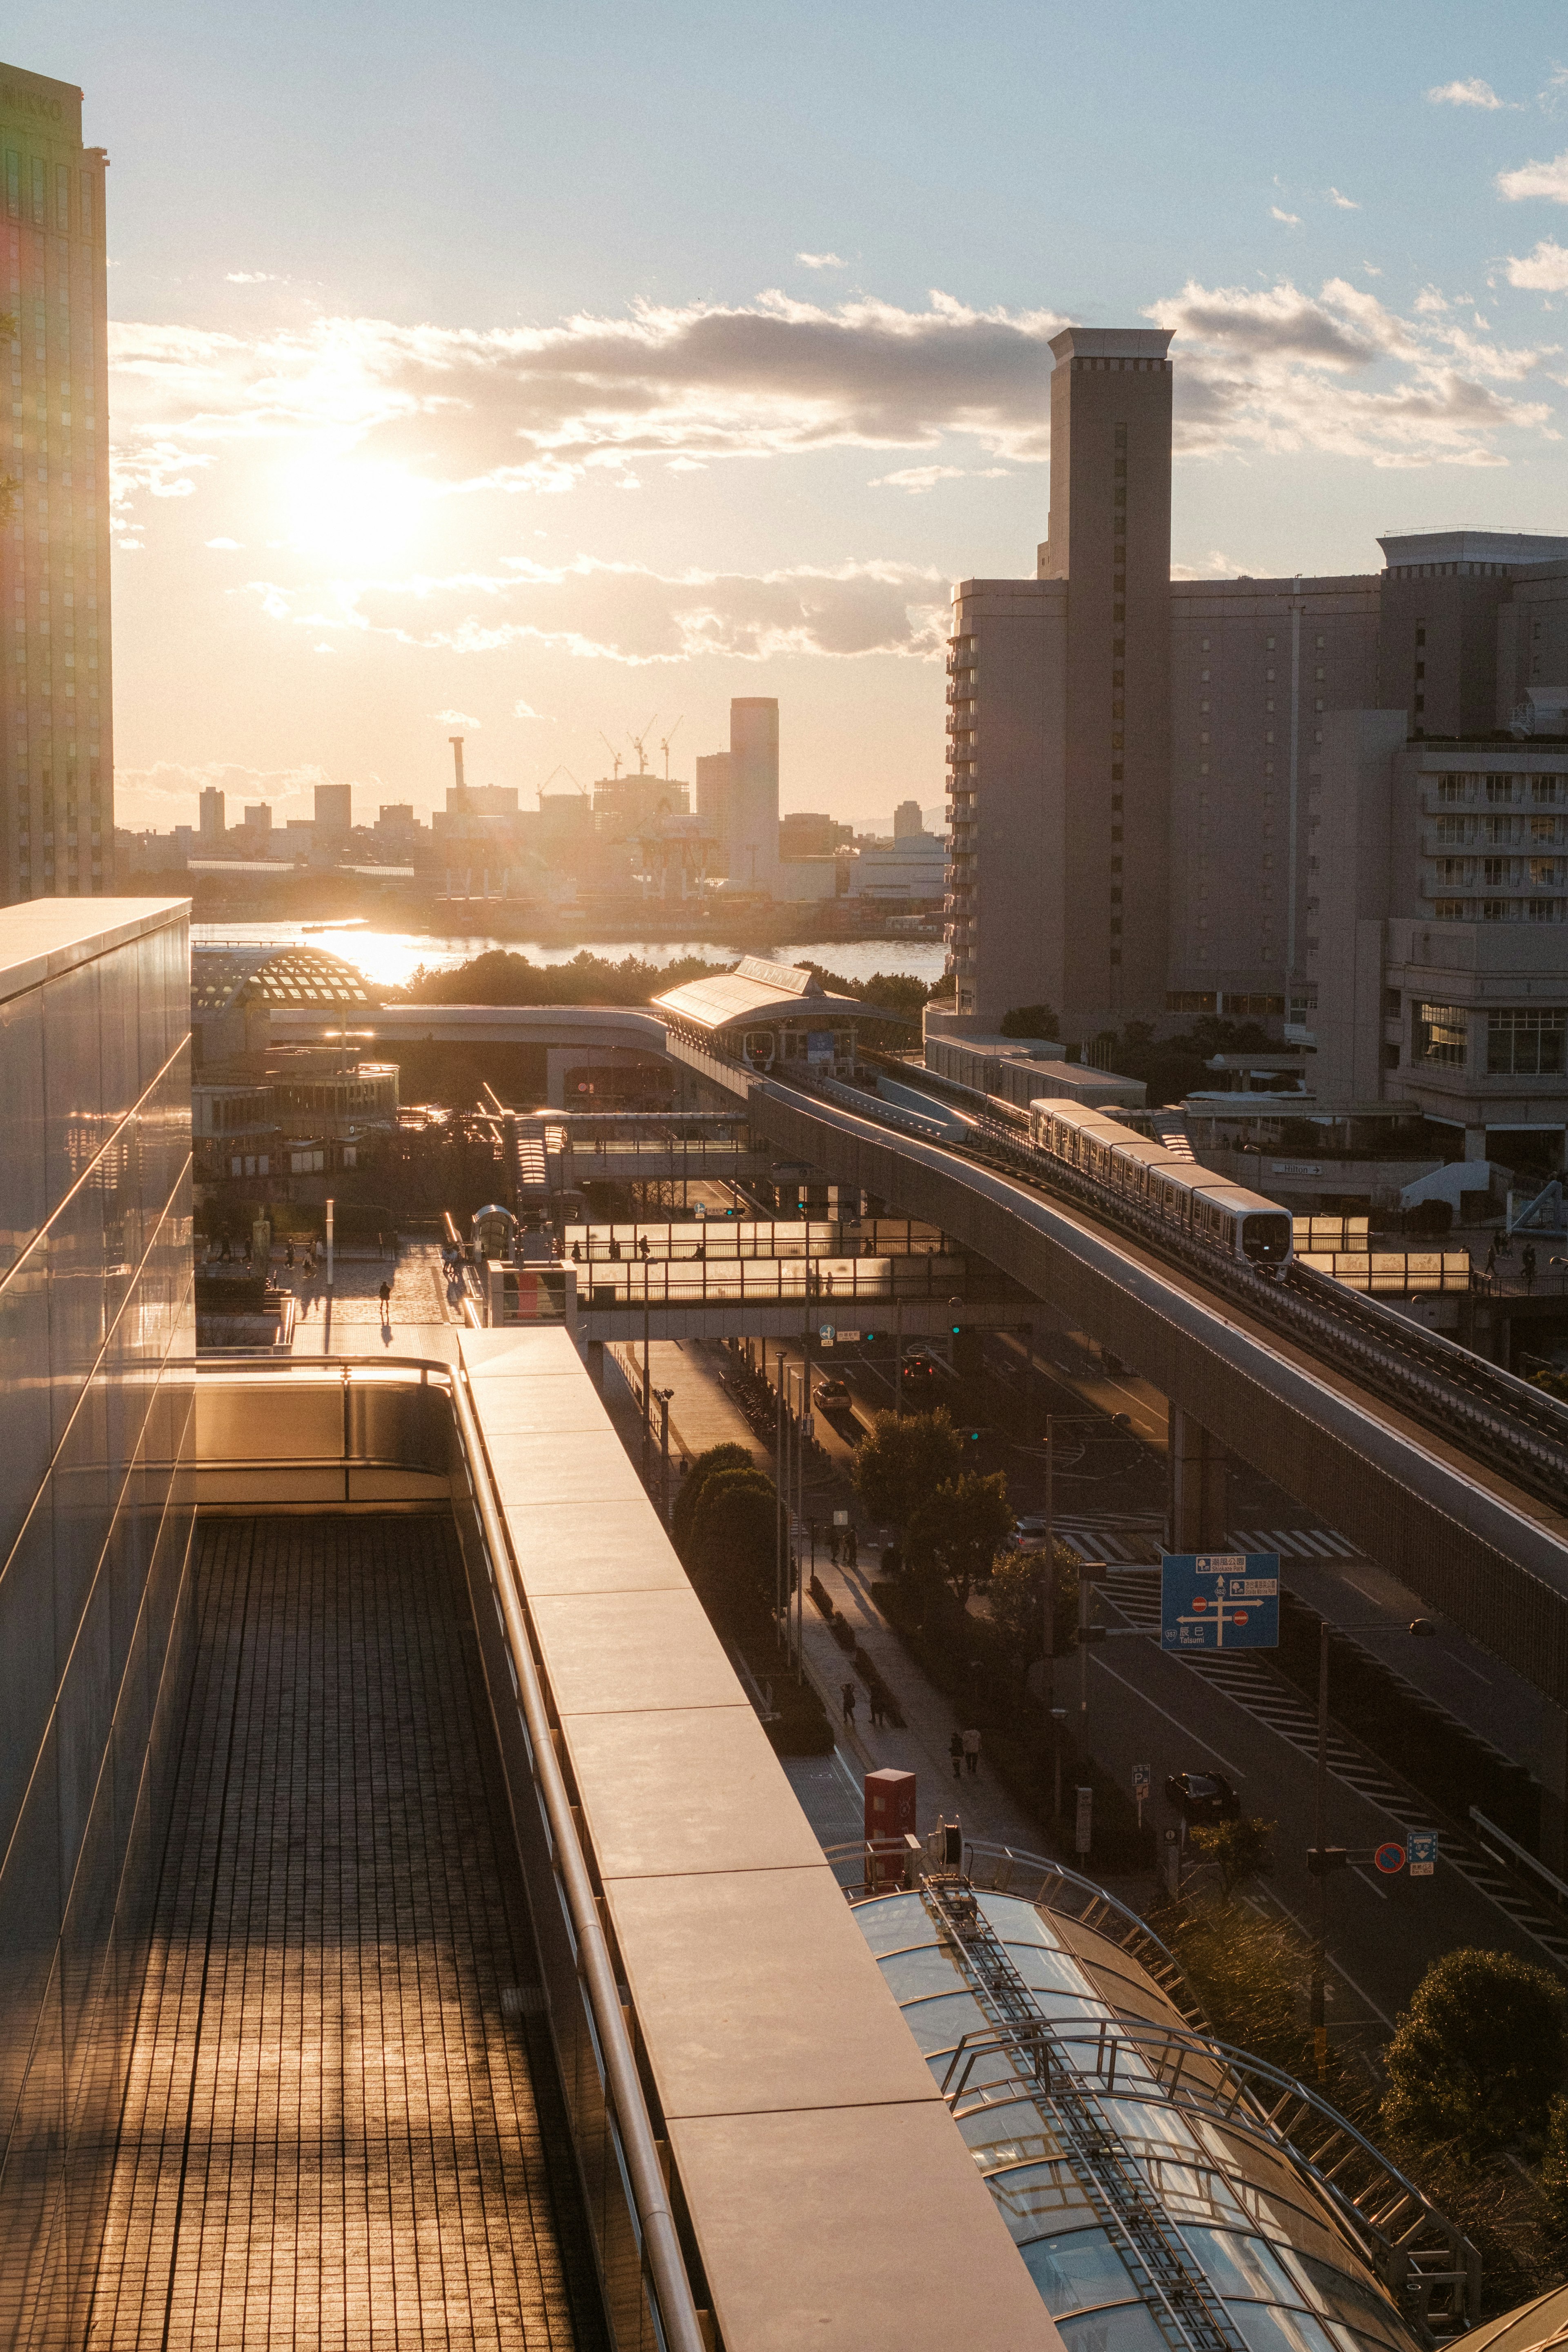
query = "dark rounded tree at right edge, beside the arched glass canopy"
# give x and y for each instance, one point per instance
(1480, 2052)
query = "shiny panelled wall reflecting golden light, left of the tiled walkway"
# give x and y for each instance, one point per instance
(95, 1537)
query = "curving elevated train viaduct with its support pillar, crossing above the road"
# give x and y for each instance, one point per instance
(1447, 1471)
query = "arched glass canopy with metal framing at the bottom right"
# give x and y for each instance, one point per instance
(1148, 2177)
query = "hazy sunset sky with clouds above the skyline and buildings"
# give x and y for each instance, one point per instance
(556, 373)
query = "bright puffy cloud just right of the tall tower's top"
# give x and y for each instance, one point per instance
(1285, 370)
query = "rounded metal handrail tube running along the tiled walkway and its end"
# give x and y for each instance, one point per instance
(645, 2174)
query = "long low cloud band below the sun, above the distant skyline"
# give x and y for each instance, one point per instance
(631, 615)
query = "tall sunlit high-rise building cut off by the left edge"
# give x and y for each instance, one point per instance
(58, 822)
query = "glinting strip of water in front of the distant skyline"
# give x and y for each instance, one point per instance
(391, 958)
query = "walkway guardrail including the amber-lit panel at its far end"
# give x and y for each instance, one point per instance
(349, 1384)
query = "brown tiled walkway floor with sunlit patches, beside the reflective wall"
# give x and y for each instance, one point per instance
(335, 2134)
